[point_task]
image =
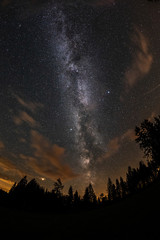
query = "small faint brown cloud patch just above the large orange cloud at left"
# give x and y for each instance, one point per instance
(25, 117)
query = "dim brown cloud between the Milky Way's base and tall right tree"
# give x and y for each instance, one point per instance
(115, 144)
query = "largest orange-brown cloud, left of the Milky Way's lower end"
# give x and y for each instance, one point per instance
(48, 159)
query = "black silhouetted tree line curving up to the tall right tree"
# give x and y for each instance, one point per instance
(30, 195)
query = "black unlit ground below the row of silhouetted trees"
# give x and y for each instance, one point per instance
(138, 217)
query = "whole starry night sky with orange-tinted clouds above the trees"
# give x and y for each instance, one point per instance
(76, 77)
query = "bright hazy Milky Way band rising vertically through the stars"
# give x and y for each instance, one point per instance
(78, 84)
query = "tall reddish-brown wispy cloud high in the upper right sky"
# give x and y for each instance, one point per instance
(142, 60)
